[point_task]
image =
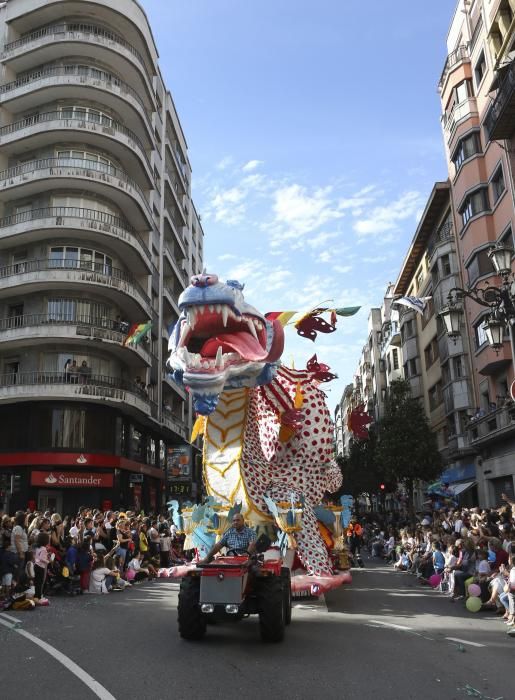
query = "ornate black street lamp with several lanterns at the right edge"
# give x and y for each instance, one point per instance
(500, 300)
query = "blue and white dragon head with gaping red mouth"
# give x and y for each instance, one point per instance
(221, 342)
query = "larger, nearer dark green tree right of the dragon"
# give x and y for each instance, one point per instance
(407, 449)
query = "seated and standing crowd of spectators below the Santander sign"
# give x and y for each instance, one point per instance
(92, 552)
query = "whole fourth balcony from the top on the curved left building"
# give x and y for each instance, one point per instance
(51, 174)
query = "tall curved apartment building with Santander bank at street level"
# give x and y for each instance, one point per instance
(97, 233)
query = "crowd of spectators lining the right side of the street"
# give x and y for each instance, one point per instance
(453, 548)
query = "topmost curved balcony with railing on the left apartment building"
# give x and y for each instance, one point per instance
(48, 44)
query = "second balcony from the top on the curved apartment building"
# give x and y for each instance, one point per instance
(79, 82)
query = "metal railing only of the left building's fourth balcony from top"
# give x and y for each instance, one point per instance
(80, 166)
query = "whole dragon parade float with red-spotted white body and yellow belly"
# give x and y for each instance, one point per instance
(267, 433)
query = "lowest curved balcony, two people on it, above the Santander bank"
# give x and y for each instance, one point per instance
(56, 386)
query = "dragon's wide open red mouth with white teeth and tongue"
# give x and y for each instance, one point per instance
(215, 336)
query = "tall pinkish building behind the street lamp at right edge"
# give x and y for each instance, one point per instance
(478, 121)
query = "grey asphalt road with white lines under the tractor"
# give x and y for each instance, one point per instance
(384, 637)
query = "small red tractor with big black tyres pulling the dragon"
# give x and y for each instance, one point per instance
(234, 587)
